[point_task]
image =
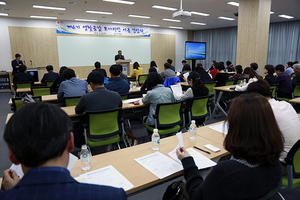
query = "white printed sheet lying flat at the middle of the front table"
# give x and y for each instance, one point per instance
(160, 165)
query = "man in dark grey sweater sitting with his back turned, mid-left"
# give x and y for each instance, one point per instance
(99, 100)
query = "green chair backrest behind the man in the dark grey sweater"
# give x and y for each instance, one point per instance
(104, 124)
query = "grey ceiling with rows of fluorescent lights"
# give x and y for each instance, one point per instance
(216, 8)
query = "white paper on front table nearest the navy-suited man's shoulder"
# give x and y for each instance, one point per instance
(106, 176)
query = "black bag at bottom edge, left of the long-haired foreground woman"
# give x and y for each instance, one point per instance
(176, 191)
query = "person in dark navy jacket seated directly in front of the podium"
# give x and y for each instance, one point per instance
(116, 83)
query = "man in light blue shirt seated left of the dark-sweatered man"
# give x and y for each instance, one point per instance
(72, 87)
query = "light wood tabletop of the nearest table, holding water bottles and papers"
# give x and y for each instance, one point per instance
(123, 160)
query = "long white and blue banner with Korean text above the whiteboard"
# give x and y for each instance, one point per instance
(101, 29)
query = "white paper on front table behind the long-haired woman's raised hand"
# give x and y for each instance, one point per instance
(201, 161)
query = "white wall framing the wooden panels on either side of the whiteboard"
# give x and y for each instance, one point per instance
(5, 49)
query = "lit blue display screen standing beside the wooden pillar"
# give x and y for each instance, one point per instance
(195, 50)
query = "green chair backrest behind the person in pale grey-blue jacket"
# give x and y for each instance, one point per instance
(169, 114)
